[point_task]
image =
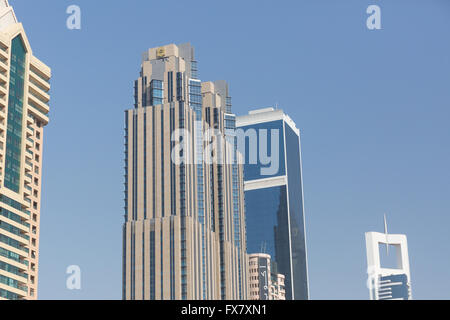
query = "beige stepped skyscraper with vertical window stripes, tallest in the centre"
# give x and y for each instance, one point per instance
(184, 230)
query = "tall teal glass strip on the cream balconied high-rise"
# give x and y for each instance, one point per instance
(15, 115)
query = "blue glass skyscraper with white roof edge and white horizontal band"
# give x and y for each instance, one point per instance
(274, 194)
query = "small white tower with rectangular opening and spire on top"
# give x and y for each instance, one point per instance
(388, 282)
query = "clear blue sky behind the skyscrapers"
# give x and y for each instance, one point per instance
(373, 108)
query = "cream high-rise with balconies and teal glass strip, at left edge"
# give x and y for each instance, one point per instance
(24, 98)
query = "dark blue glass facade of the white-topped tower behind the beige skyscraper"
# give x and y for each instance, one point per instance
(274, 215)
